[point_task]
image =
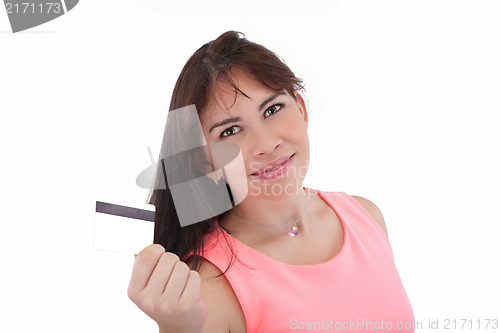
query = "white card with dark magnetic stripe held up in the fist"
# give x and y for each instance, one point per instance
(123, 227)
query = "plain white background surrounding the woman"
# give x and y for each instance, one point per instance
(404, 103)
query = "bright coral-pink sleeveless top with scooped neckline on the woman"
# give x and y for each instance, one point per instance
(358, 290)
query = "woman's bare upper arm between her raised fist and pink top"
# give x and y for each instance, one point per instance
(224, 310)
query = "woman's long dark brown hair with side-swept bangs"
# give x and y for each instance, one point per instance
(201, 78)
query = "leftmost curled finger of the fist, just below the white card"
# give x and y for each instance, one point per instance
(144, 265)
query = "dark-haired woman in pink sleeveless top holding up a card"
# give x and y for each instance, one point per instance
(287, 257)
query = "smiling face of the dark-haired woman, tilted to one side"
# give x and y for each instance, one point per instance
(268, 126)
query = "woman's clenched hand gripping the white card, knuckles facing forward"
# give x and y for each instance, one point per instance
(167, 291)
